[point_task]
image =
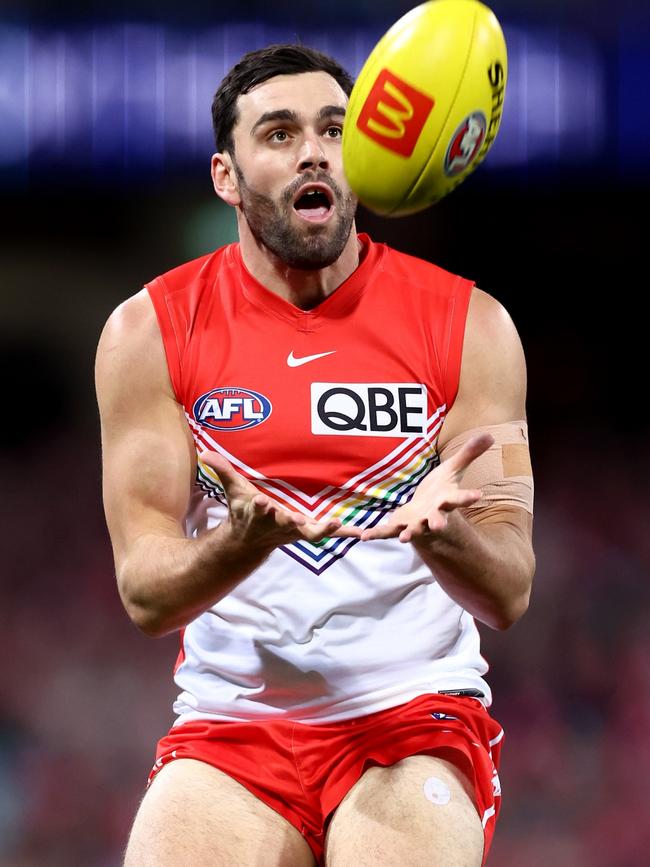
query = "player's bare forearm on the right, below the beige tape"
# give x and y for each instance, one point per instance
(487, 568)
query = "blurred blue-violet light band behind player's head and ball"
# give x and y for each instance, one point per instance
(137, 96)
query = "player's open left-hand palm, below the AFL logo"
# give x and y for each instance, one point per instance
(261, 521)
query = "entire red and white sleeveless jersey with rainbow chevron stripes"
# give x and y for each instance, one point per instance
(333, 411)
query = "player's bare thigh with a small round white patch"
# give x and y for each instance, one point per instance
(417, 813)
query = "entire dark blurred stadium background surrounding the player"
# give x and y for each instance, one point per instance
(105, 142)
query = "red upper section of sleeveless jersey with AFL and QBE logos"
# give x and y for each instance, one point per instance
(244, 364)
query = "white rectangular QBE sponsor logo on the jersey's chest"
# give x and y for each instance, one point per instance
(388, 409)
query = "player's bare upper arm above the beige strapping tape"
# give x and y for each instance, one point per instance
(492, 387)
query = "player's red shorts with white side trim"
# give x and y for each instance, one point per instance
(304, 771)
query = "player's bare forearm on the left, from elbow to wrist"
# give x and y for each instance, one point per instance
(166, 582)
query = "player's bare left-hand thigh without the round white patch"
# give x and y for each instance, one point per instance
(194, 814)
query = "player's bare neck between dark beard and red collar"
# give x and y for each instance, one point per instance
(303, 289)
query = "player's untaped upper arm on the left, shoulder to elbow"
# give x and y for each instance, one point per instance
(148, 456)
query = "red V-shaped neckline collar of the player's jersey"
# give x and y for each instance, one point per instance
(342, 298)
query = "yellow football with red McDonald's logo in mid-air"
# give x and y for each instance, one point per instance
(426, 106)
